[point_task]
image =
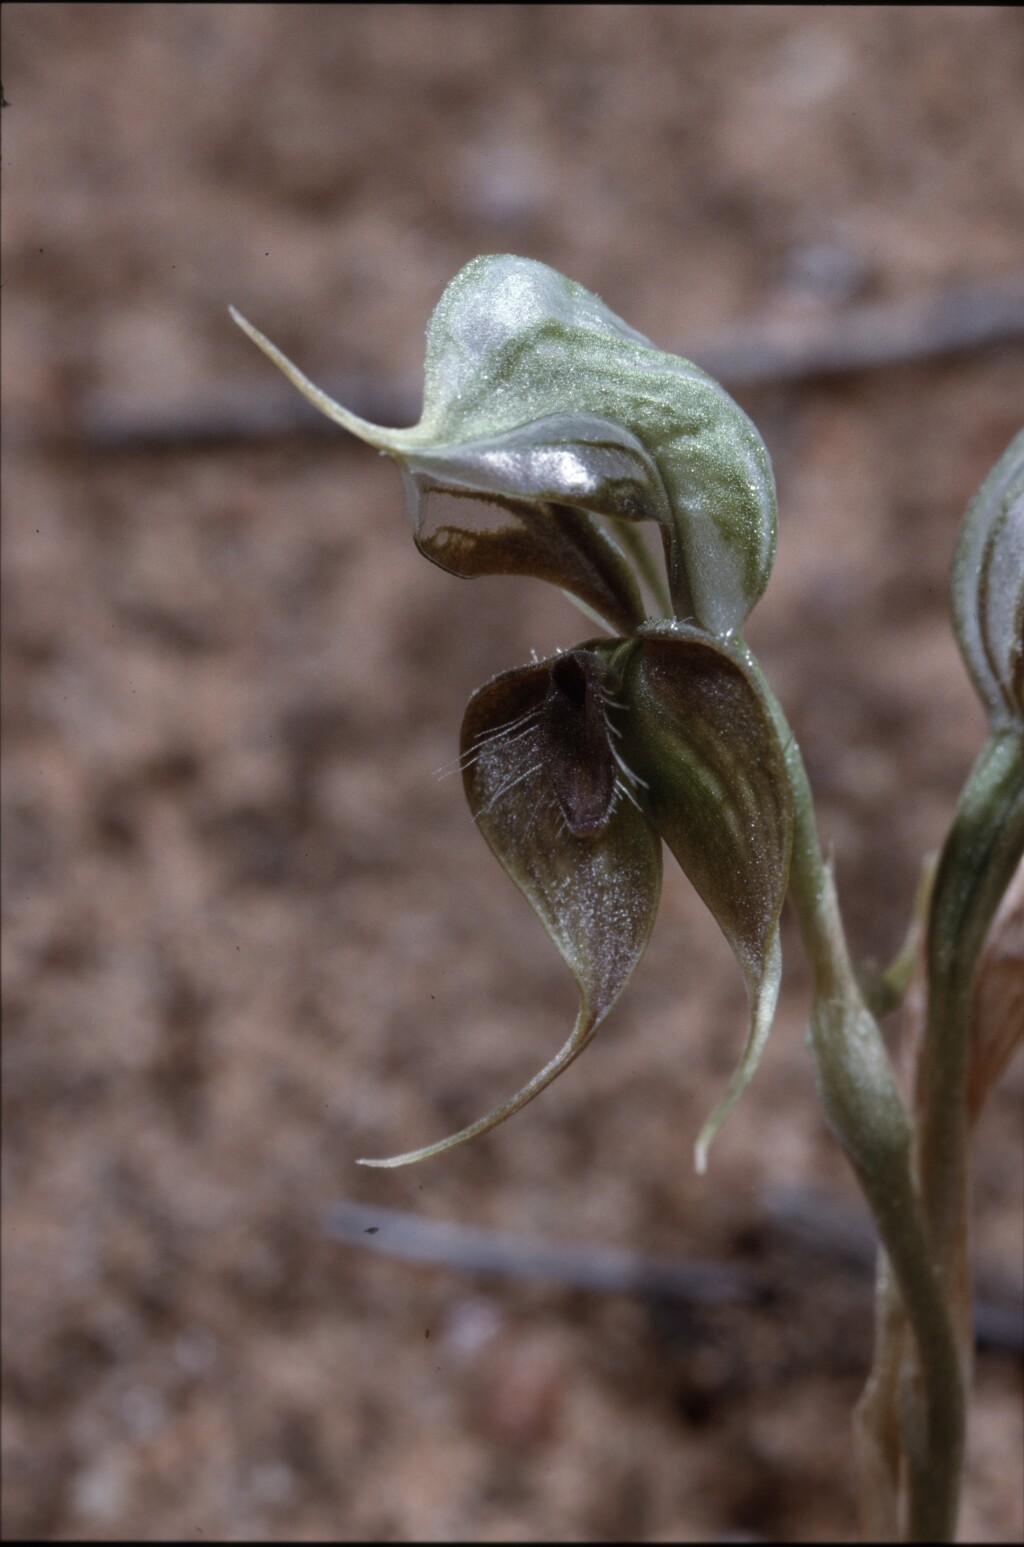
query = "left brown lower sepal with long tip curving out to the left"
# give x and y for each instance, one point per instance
(545, 788)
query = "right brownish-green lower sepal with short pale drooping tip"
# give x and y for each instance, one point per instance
(705, 745)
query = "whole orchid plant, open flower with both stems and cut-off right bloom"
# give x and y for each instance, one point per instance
(550, 432)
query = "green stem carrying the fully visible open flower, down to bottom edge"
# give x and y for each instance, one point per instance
(864, 1108)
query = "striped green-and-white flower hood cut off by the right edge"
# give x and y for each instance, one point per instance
(988, 587)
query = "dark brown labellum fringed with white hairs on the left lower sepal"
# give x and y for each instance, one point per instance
(578, 750)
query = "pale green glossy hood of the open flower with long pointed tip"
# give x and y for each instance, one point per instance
(510, 347)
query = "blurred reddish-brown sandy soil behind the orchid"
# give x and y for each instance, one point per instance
(248, 934)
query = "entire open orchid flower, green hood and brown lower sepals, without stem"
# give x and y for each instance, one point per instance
(579, 767)
